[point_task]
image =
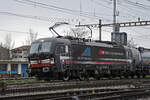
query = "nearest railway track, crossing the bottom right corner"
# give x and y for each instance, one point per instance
(112, 95)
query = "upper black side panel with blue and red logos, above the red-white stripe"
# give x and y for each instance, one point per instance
(97, 53)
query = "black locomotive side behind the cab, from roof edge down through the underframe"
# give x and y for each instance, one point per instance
(101, 60)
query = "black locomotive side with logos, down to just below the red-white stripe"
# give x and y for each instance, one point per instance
(99, 56)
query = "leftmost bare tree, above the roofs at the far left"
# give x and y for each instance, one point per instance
(8, 43)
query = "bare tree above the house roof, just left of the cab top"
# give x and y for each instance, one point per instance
(32, 37)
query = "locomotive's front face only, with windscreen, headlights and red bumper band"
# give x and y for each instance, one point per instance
(41, 57)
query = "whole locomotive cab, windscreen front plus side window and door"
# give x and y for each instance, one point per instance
(45, 58)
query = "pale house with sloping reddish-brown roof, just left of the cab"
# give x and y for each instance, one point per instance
(20, 53)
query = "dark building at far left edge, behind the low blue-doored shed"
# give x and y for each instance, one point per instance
(4, 53)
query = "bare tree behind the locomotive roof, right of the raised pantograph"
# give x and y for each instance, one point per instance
(78, 33)
